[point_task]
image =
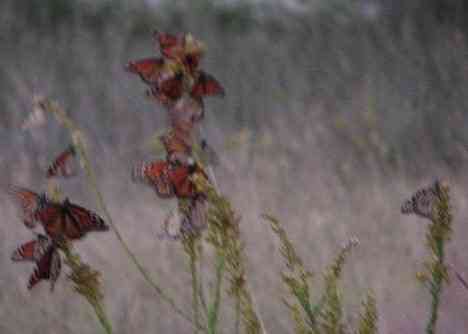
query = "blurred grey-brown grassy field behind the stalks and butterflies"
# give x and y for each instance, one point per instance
(336, 111)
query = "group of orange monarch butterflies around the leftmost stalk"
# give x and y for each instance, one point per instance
(61, 221)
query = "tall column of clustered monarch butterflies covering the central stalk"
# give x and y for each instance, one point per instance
(176, 82)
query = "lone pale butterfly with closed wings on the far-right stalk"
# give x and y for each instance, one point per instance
(422, 202)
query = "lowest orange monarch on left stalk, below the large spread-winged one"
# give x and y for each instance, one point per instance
(44, 252)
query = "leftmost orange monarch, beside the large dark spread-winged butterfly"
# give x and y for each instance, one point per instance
(29, 203)
